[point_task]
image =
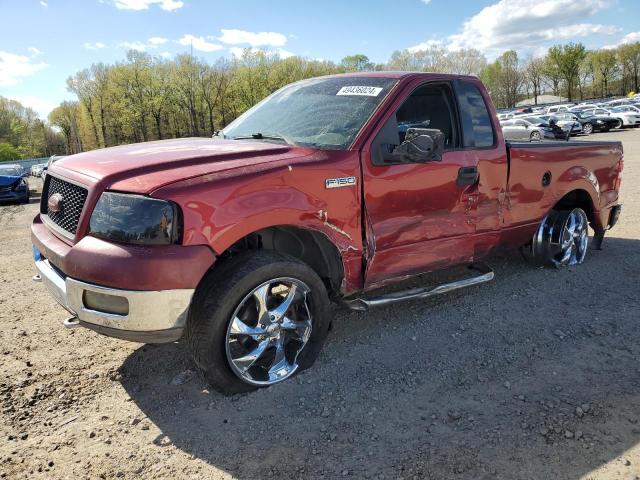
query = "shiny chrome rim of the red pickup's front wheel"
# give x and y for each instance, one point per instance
(268, 330)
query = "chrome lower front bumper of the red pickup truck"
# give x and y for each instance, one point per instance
(152, 317)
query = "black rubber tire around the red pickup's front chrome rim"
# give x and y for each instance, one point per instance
(219, 294)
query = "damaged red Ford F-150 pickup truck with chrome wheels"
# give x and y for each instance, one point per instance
(328, 189)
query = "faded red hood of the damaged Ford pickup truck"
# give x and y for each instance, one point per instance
(144, 167)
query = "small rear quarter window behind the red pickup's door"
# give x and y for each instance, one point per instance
(477, 128)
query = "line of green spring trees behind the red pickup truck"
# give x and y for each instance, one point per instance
(146, 98)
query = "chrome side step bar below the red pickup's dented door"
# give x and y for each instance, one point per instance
(363, 304)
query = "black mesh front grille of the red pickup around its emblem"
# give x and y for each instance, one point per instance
(73, 198)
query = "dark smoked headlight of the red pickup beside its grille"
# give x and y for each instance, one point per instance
(135, 219)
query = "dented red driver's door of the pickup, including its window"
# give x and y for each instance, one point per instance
(417, 215)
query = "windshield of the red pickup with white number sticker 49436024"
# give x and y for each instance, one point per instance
(325, 113)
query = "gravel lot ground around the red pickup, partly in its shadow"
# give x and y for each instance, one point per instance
(533, 376)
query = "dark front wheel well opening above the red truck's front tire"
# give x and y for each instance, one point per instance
(309, 246)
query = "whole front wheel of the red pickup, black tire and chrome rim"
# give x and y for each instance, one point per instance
(256, 320)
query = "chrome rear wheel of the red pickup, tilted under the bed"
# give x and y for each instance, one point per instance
(562, 238)
